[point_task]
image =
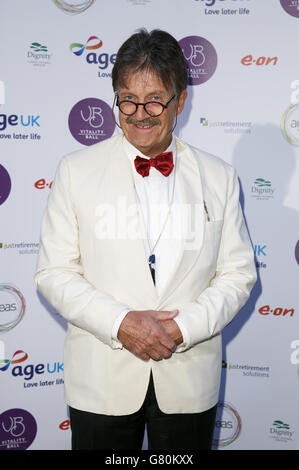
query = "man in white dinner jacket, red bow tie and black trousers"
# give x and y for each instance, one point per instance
(148, 258)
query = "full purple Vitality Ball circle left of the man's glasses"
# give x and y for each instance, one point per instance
(90, 121)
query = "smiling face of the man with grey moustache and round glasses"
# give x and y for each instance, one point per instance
(150, 135)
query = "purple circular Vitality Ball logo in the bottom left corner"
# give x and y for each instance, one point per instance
(17, 429)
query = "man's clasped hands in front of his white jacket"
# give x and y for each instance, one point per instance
(150, 334)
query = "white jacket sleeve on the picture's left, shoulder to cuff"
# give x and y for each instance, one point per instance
(59, 275)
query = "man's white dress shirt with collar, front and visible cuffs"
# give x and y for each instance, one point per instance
(155, 194)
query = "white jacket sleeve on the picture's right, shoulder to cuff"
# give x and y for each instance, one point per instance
(234, 277)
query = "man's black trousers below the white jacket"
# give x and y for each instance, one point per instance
(92, 431)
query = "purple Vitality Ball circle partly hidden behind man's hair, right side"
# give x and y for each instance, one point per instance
(201, 59)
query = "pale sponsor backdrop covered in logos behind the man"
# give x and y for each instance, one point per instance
(243, 105)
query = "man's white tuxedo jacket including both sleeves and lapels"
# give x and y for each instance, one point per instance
(90, 278)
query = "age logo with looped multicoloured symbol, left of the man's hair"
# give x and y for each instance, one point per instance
(90, 52)
